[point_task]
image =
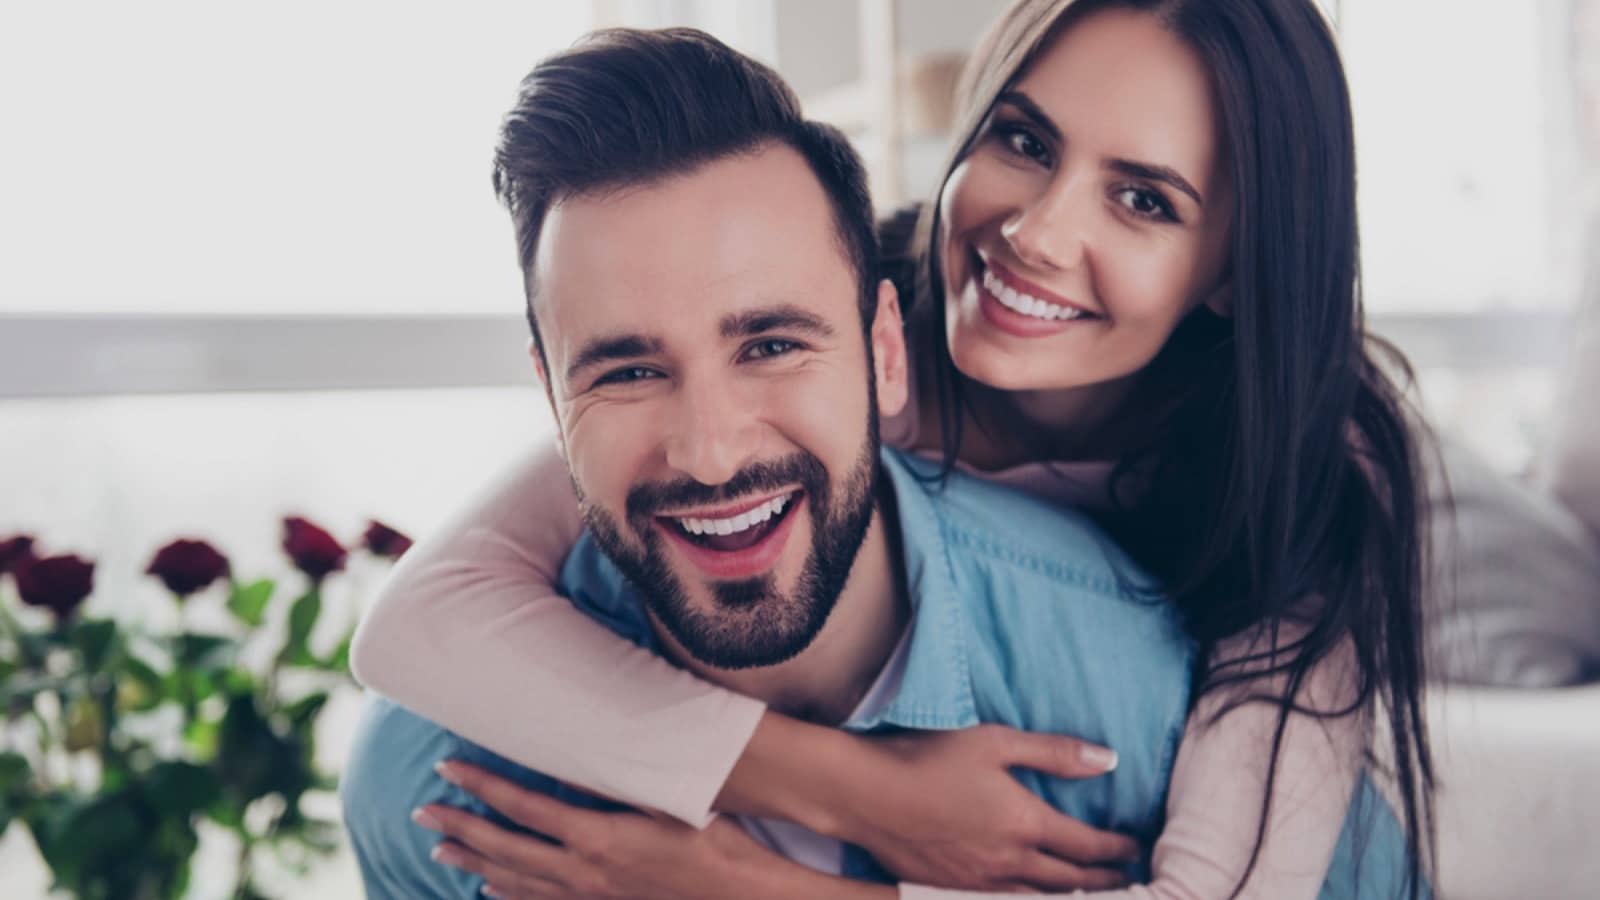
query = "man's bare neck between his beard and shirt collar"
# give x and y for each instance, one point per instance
(826, 681)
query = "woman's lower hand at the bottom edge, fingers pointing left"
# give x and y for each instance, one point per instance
(614, 856)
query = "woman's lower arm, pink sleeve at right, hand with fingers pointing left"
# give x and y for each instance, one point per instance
(1214, 808)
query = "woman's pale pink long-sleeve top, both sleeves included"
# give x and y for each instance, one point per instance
(470, 632)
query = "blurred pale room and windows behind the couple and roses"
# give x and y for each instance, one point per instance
(250, 262)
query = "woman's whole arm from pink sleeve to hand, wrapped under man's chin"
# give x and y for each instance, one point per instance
(471, 633)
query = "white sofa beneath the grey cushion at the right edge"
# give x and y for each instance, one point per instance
(1519, 769)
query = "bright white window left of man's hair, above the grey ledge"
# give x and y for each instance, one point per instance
(185, 156)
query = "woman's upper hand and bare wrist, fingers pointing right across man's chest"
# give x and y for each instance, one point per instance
(935, 808)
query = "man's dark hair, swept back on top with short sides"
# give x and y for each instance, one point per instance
(630, 106)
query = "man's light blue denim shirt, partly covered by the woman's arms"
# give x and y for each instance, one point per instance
(1025, 614)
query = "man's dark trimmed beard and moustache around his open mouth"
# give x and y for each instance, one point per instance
(754, 622)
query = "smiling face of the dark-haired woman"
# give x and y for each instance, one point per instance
(1092, 214)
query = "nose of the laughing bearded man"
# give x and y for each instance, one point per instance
(716, 432)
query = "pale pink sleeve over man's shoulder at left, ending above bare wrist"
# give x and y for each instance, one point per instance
(471, 633)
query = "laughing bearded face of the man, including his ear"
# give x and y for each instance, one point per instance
(716, 400)
